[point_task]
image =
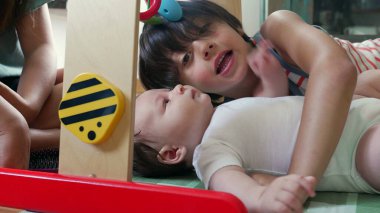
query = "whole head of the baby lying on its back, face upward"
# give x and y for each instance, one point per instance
(168, 127)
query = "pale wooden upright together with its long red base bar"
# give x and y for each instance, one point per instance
(102, 38)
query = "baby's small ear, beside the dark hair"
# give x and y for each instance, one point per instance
(171, 154)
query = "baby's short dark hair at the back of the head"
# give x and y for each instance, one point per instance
(145, 162)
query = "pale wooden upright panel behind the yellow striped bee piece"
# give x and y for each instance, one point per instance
(102, 39)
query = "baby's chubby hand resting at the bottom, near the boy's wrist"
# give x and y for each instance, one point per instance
(287, 194)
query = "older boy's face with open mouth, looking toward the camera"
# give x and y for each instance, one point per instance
(216, 63)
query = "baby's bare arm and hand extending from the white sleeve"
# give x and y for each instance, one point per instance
(285, 194)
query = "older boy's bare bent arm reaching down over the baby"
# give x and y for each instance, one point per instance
(332, 79)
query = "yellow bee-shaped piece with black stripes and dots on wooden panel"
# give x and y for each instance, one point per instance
(91, 108)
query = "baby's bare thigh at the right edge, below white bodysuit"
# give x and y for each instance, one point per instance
(368, 157)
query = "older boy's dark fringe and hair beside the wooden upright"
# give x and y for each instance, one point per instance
(158, 42)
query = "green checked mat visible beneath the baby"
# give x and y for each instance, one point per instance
(326, 202)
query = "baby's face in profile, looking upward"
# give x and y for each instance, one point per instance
(176, 117)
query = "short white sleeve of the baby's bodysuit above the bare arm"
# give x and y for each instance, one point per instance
(211, 156)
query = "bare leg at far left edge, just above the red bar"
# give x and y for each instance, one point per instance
(14, 137)
